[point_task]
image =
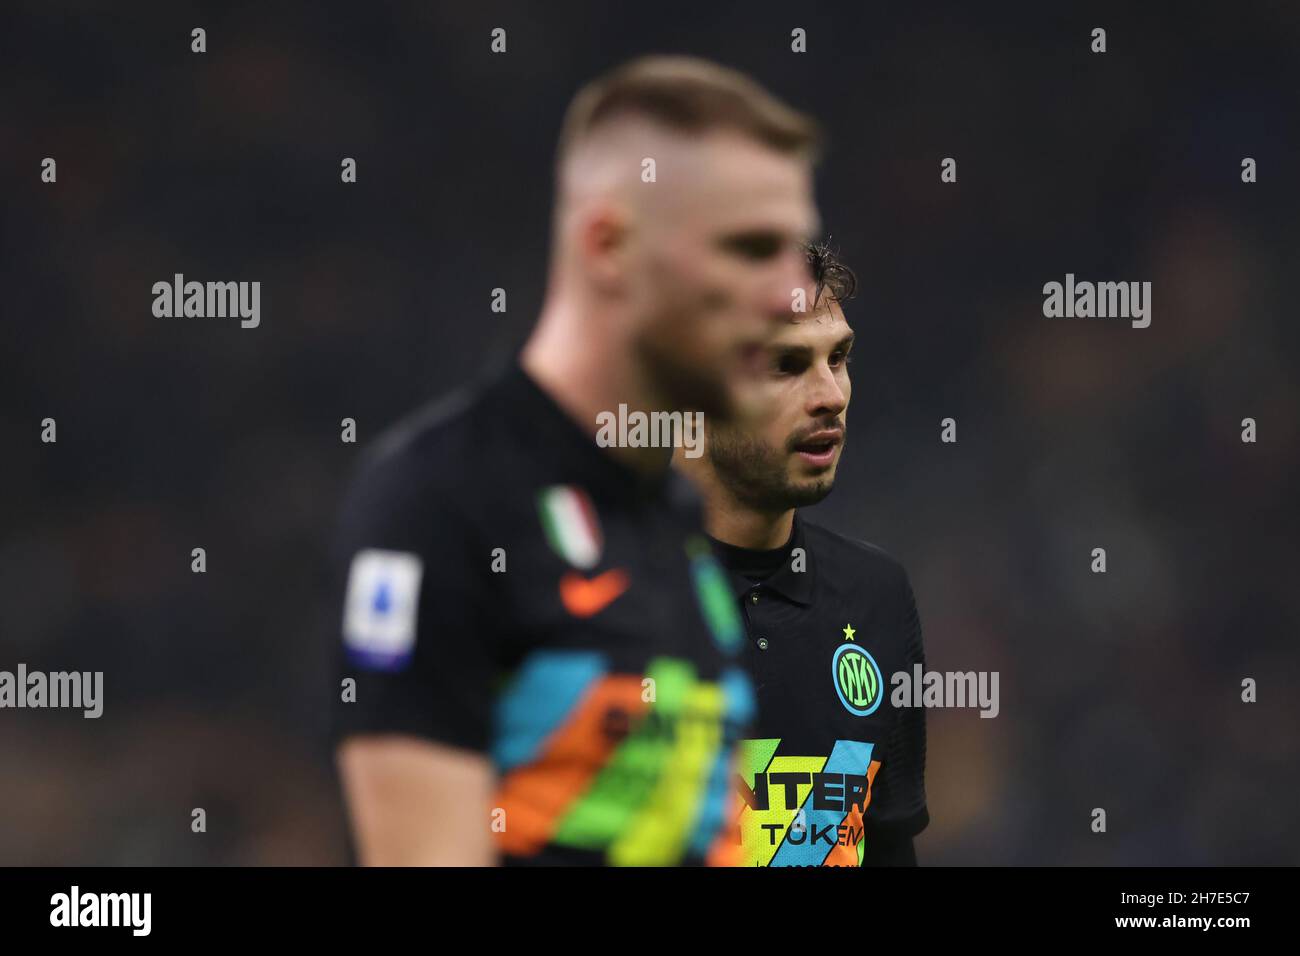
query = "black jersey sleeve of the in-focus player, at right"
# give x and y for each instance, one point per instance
(899, 803)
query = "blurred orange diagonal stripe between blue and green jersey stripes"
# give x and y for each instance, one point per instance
(538, 795)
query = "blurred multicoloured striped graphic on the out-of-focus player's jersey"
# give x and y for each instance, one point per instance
(638, 780)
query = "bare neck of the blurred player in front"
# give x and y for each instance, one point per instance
(587, 377)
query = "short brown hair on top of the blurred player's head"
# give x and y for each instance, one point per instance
(692, 97)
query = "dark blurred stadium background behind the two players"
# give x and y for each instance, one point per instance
(1120, 691)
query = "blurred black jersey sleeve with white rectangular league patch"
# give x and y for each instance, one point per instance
(410, 600)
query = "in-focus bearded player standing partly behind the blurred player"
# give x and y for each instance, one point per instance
(834, 776)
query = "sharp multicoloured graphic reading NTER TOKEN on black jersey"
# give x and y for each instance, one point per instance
(804, 811)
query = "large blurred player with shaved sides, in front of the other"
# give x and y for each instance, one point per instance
(543, 646)
